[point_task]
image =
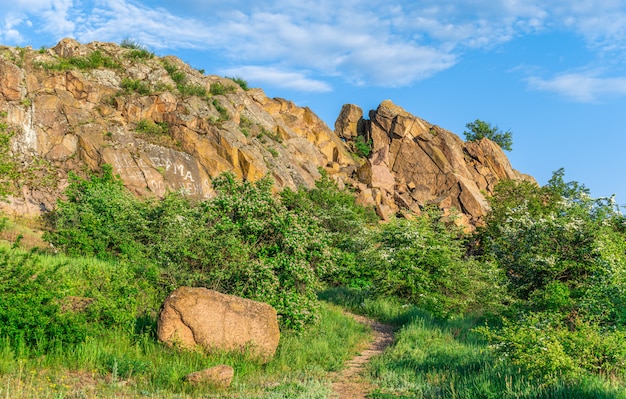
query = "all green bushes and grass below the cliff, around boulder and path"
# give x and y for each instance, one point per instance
(531, 305)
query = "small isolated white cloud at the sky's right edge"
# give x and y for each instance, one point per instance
(581, 86)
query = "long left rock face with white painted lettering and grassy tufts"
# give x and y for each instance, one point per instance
(158, 138)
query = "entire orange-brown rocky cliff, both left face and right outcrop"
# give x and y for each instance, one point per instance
(165, 126)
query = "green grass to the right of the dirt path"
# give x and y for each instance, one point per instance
(434, 358)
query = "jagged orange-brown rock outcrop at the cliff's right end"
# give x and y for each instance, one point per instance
(414, 163)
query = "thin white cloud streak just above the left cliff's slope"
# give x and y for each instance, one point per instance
(279, 78)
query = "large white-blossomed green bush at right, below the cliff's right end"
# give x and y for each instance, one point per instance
(560, 248)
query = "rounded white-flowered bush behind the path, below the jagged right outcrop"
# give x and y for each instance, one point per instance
(421, 261)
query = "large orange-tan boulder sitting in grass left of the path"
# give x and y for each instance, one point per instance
(199, 316)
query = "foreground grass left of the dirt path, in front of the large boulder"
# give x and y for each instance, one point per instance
(116, 363)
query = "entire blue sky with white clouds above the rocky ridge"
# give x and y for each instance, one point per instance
(551, 71)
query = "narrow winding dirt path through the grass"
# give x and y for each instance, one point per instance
(348, 383)
